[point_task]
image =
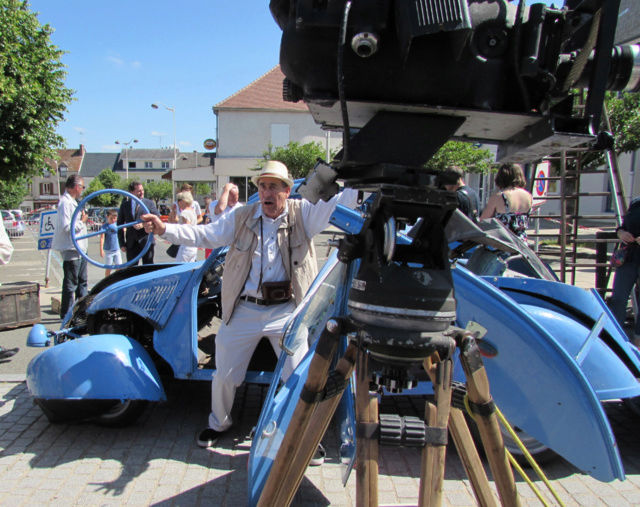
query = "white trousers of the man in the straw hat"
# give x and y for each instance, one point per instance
(235, 343)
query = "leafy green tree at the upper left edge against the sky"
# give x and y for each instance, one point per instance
(33, 98)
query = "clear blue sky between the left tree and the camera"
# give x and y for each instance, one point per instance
(124, 55)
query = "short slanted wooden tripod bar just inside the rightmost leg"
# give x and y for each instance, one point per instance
(470, 459)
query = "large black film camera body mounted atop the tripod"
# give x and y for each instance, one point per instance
(505, 69)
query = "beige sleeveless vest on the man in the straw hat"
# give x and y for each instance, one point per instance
(291, 235)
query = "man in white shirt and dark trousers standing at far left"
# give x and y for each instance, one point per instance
(74, 266)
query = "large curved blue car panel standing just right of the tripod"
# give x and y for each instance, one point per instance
(536, 383)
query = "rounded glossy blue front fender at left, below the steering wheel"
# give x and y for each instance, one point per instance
(107, 366)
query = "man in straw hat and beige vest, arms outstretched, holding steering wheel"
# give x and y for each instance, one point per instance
(270, 265)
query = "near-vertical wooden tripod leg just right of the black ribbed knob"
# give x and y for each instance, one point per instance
(434, 455)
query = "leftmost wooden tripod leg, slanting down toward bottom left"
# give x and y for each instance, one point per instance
(278, 486)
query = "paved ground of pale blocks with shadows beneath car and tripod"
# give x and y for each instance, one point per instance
(156, 461)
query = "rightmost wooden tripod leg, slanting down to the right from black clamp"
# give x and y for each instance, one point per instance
(487, 421)
